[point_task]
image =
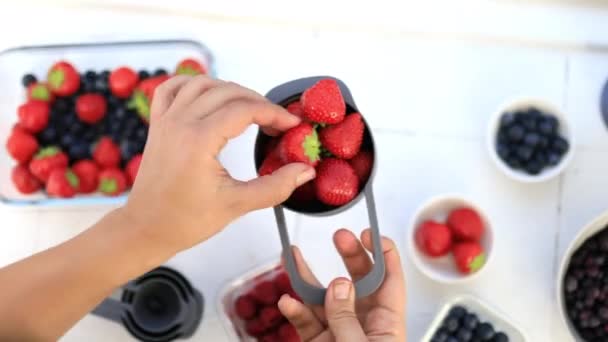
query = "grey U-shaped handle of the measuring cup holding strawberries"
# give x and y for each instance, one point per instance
(365, 286)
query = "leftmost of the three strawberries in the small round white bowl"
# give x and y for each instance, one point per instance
(433, 239)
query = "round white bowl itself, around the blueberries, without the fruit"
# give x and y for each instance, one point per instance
(565, 130)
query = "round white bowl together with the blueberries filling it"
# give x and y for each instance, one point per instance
(530, 140)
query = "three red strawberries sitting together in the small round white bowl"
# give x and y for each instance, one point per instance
(461, 235)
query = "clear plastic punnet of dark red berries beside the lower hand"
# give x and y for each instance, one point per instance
(247, 305)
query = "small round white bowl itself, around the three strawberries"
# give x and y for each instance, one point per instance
(443, 269)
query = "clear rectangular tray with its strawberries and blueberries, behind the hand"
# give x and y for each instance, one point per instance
(121, 122)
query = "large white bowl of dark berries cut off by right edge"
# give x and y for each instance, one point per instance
(583, 283)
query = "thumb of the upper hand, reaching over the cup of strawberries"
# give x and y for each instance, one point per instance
(271, 190)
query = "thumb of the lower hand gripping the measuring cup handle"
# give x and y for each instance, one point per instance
(340, 311)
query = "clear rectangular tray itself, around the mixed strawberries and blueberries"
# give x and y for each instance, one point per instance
(16, 62)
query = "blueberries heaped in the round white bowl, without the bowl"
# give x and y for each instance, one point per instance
(529, 140)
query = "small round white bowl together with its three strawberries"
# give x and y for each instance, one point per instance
(450, 239)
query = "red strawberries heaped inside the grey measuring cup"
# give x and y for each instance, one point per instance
(330, 138)
